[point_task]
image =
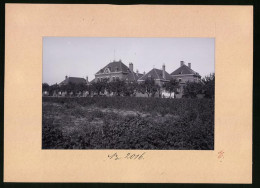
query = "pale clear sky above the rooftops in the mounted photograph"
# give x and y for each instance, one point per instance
(85, 56)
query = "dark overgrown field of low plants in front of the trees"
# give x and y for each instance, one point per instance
(127, 123)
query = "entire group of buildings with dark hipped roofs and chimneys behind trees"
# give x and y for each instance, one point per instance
(117, 70)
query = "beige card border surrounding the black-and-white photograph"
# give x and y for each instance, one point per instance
(232, 28)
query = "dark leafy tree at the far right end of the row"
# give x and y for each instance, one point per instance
(209, 85)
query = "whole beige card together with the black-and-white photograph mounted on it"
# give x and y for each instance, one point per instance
(144, 93)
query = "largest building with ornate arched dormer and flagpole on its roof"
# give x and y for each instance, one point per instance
(117, 70)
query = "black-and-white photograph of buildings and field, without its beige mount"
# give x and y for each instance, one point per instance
(128, 93)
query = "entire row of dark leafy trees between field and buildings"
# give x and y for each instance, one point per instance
(148, 87)
